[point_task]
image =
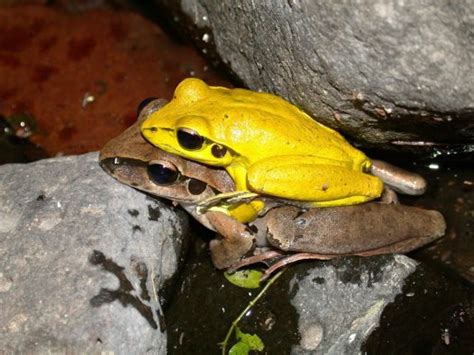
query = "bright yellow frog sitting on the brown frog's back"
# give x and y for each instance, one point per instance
(267, 145)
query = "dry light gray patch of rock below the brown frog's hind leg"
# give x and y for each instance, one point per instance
(340, 305)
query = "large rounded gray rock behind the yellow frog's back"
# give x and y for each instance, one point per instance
(380, 71)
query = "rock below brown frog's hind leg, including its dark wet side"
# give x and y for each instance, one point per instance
(382, 304)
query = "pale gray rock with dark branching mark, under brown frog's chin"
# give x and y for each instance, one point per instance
(80, 259)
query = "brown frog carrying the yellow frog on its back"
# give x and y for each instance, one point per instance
(366, 229)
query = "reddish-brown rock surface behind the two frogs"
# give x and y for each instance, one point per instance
(81, 76)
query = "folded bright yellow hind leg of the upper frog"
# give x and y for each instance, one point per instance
(312, 179)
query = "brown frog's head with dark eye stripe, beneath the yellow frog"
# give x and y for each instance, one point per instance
(130, 159)
